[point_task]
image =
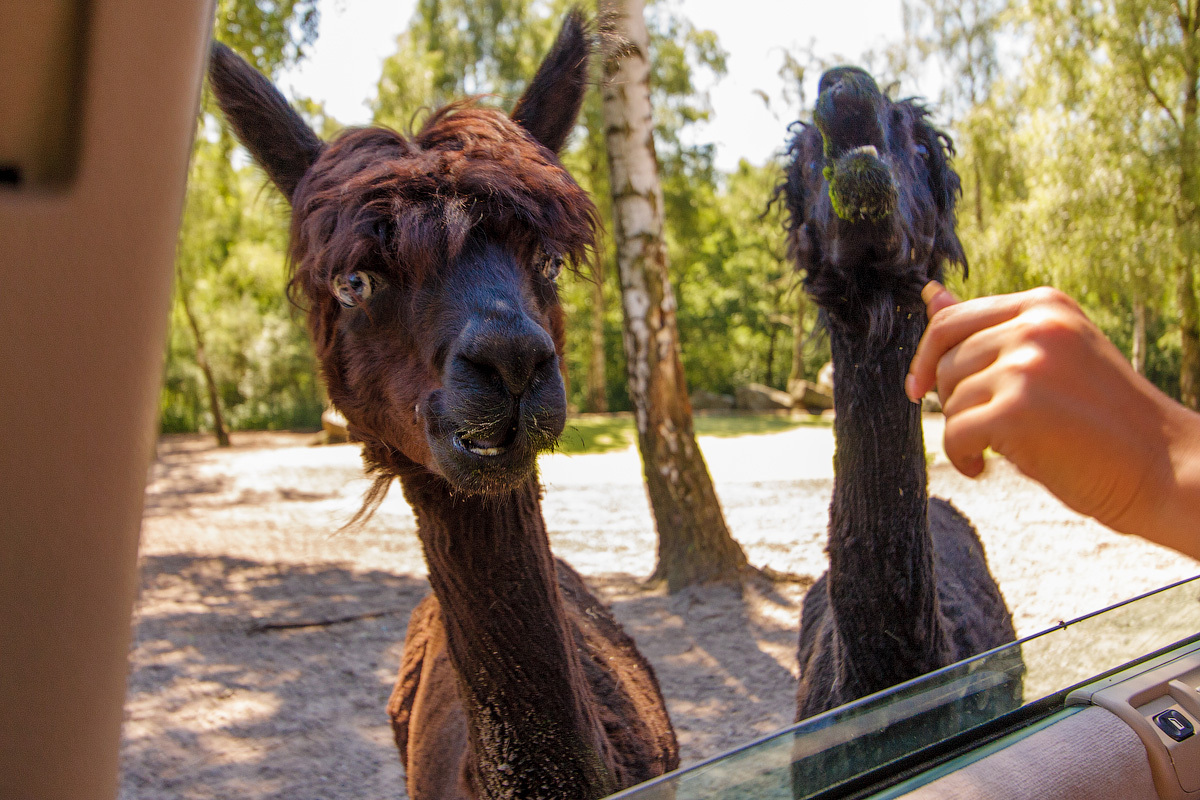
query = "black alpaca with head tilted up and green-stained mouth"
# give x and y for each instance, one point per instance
(872, 219)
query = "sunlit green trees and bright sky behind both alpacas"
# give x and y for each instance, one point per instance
(1067, 123)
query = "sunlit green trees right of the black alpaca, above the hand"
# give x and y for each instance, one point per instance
(1076, 158)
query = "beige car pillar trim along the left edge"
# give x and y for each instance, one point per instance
(86, 273)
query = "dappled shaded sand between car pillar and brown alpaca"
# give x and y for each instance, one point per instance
(220, 708)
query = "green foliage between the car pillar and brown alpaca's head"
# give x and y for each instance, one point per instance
(232, 268)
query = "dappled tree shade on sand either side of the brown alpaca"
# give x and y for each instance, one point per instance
(251, 679)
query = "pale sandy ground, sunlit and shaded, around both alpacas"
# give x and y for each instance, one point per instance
(224, 703)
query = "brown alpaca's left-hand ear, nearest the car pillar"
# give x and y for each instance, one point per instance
(277, 137)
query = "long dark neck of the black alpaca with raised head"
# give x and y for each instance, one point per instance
(883, 586)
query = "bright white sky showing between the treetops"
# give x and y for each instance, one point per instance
(357, 35)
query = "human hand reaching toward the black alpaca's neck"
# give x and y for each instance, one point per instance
(1029, 376)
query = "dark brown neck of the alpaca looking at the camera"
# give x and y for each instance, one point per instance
(533, 731)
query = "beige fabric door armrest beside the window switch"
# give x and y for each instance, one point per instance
(1088, 756)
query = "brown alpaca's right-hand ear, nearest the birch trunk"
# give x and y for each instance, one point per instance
(551, 104)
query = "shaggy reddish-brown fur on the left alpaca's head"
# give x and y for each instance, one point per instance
(405, 208)
